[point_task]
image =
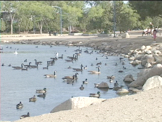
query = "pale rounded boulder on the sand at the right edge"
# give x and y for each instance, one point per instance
(152, 82)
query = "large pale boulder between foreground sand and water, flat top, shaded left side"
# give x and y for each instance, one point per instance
(77, 102)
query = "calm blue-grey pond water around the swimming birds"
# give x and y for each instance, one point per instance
(20, 85)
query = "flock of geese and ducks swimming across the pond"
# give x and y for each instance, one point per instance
(69, 79)
